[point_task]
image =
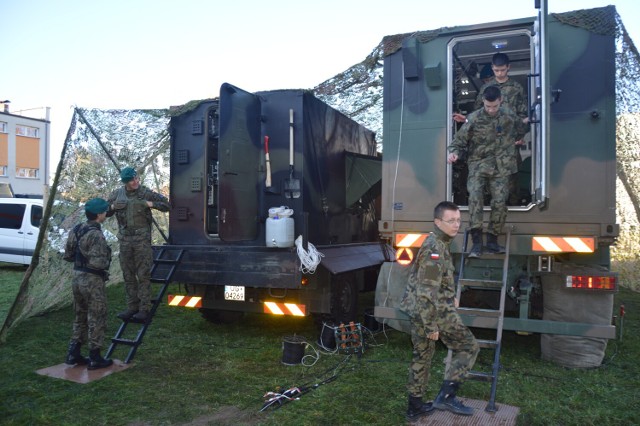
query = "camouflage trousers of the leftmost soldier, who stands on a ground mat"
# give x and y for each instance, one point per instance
(90, 306)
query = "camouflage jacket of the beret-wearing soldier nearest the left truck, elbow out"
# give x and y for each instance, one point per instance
(132, 212)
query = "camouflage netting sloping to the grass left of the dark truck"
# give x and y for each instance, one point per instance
(98, 145)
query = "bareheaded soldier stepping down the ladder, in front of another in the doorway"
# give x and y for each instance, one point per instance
(486, 140)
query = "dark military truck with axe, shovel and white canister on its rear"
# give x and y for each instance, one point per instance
(273, 205)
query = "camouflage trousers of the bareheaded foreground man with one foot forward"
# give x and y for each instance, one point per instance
(453, 333)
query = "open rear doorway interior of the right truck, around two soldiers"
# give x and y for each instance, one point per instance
(469, 55)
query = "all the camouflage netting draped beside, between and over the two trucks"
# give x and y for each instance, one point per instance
(101, 142)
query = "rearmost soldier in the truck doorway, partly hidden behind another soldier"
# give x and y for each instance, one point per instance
(513, 96)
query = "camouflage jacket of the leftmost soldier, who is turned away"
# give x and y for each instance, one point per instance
(92, 248)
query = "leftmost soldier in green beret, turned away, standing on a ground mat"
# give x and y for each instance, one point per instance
(87, 248)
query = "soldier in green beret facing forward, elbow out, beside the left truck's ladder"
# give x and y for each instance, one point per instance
(132, 204)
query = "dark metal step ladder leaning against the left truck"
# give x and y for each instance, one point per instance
(165, 264)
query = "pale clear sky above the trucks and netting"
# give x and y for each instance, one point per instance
(128, 54)
